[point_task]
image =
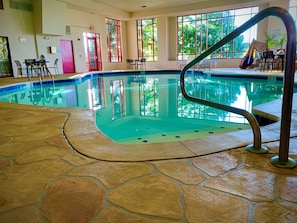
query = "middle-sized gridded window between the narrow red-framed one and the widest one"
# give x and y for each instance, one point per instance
(147, 39)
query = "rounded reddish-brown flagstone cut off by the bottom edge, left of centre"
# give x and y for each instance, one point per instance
(72, 200)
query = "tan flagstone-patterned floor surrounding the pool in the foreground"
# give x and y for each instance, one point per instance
(45, 177)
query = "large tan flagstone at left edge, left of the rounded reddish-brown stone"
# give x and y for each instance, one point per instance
(21, 185)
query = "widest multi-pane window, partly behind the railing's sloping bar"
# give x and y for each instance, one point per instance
(196, 33)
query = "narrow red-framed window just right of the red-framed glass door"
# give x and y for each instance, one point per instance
(114, 41)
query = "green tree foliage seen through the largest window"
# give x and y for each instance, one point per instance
(196, 36)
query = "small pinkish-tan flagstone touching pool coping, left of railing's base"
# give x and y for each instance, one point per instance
(216, 164)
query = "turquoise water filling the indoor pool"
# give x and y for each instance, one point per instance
(149, 107)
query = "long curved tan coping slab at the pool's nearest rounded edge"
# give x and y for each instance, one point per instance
(98, 146)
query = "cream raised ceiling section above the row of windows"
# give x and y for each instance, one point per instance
(134, 9)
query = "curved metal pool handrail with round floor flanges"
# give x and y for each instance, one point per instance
(282, 160)
